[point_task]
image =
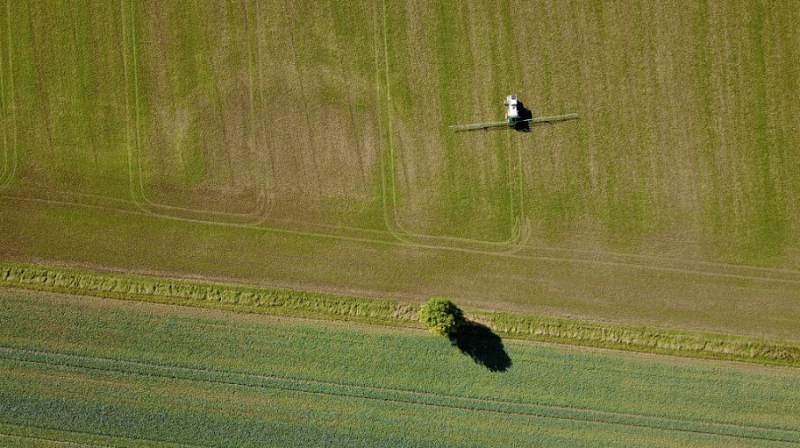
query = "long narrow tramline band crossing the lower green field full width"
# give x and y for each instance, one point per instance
(176, 372)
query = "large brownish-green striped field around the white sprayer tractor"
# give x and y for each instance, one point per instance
(274, 143)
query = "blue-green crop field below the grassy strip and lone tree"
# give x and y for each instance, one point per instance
(110, 373)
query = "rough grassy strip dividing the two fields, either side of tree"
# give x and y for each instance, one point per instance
(386, 312)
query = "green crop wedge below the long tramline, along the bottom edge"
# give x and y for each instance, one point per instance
(130, 410)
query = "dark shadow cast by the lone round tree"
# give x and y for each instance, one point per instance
(481, 344)
